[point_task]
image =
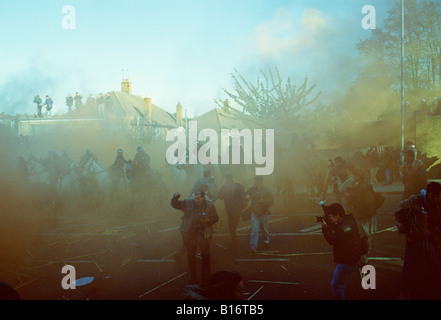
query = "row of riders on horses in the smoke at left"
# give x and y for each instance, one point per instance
(53, 168)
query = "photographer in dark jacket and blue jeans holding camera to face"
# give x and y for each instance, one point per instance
(341, 231)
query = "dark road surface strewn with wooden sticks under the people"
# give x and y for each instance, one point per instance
(130, 257)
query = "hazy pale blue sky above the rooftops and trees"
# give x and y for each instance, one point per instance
(174, 50)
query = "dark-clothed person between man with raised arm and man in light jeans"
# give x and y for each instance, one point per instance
(233, 195)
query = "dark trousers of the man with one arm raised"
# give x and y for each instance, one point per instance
(192, 243)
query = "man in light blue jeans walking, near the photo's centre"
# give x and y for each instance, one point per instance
(261, 200)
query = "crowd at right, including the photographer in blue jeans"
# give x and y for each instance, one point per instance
(351, 221)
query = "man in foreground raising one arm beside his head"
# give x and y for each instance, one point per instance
(196, 229)
